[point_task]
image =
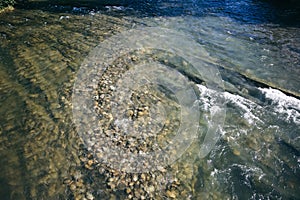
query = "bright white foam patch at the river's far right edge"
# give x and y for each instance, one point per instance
(284, 104)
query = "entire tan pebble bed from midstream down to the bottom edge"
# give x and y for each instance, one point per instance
(151, 127)
